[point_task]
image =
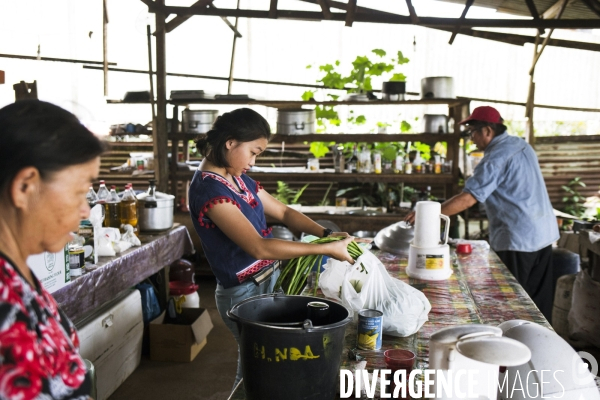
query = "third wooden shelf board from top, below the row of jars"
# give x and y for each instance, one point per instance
(337, 177)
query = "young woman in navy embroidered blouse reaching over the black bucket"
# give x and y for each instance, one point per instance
(229, 211)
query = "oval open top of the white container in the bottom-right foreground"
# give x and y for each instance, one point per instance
(495, 350)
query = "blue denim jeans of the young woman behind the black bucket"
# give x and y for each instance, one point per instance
(227, 298)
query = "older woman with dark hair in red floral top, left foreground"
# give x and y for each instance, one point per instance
(47, 162)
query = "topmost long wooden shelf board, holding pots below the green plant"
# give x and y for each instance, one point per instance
(300, 103)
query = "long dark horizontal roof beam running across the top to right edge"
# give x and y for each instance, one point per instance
(388, 18)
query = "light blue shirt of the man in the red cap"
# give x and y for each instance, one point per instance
(509, 181)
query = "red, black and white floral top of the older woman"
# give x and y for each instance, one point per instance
(39, 347)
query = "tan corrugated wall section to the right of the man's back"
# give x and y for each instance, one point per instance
(563, 158)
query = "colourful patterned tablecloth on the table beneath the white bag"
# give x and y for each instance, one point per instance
(480, 291)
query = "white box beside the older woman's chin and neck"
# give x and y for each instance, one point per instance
(52, 269)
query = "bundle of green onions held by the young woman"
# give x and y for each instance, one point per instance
(294, 275)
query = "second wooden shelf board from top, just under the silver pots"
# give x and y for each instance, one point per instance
(345, 137)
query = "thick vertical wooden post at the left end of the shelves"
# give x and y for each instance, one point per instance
(161, 166)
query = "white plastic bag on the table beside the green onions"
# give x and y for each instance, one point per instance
(404, 308)
